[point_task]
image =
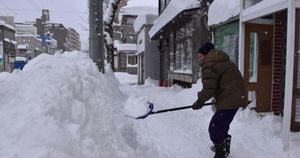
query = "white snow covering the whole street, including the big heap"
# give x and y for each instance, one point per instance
(61, 106)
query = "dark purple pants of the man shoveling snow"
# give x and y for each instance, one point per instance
(219, 125)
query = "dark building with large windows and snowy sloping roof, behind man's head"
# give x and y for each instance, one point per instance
(181, 31)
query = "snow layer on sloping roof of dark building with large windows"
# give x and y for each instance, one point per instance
(173, 9)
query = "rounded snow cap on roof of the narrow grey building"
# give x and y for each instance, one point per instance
(143, 20)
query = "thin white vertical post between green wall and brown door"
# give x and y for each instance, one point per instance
(241, 39)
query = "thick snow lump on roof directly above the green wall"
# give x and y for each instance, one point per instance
(222, 10)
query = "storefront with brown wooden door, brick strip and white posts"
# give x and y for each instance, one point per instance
(268, 55)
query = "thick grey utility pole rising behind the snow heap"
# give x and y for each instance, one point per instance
(96, 41)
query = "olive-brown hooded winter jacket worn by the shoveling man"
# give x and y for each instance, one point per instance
(222, 80)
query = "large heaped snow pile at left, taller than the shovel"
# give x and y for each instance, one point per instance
(60, 106)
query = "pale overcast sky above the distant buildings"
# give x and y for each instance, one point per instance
(71, 13)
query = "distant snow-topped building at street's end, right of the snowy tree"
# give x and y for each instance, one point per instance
(126, 36)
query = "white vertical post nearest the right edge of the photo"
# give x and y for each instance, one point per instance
(288, 95)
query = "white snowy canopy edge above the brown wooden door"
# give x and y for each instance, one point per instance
(263, 8)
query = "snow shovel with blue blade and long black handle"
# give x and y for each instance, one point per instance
(151, 107)
